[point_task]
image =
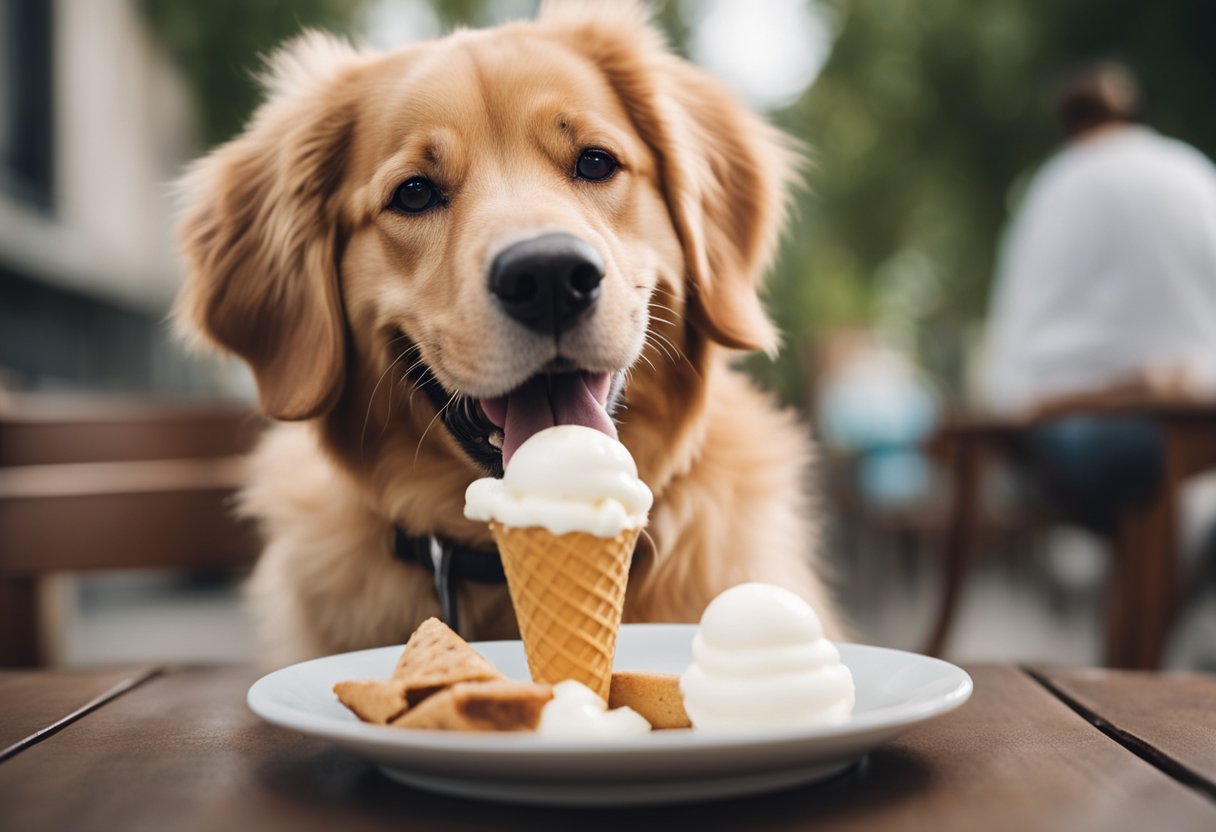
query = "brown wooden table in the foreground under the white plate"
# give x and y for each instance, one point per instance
(176, 749)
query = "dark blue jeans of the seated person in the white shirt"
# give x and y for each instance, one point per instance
(1095, 466)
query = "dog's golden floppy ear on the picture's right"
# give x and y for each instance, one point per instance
(725, 173)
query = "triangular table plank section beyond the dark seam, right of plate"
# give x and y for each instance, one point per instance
(1173, 716)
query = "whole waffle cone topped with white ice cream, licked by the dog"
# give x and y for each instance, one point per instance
(566, 516)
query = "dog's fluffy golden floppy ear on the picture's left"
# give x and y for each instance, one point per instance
(260, 234)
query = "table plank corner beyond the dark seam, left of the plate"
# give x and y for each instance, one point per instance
(31, 701)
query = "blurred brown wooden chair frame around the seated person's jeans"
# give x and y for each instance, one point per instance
(1145, 589)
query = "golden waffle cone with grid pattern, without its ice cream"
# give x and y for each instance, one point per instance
(568, 592)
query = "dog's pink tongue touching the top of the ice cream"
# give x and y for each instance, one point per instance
(573, 398)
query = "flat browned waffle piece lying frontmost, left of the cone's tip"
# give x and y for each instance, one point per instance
(503, 705)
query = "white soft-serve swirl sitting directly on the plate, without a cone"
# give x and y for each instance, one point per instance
(762, 661)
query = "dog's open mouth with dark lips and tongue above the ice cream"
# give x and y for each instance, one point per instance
(492, 430)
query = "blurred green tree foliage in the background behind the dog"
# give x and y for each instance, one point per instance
(921, 125)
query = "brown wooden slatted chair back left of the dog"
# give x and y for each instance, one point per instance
(89, 486)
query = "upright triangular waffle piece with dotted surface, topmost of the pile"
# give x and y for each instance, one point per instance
(436, 659)
